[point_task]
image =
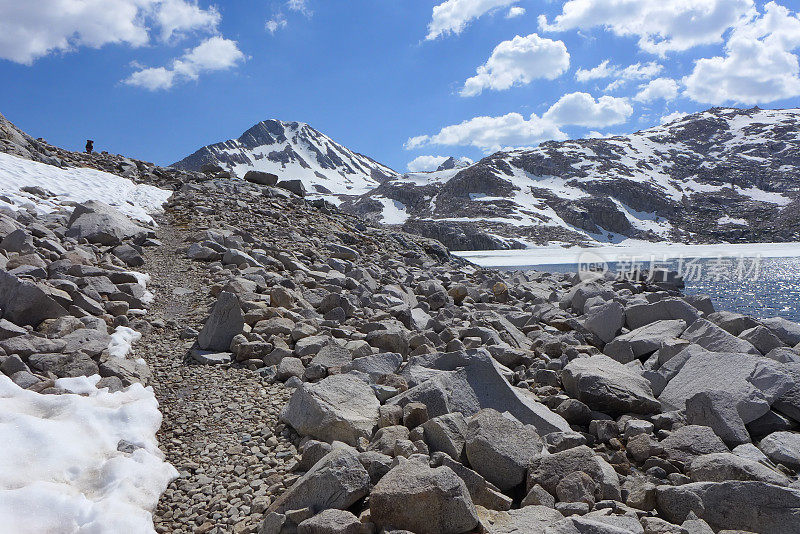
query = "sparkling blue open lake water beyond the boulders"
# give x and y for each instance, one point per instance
(759, 287)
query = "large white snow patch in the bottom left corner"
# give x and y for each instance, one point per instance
(83, 462)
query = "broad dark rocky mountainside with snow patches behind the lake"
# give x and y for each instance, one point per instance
(721, 175)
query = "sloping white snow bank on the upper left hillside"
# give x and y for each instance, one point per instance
(76, 184)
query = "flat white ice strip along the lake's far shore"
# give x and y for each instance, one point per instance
(641, 250)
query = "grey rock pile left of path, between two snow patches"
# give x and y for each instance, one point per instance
(66, 285)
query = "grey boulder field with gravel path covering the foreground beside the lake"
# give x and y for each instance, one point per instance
(318, 374)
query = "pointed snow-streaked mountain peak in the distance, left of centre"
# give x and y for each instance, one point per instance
(294, 150)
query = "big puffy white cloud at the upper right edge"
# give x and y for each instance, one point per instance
(758, 65)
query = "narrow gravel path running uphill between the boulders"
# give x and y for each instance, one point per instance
(218, 421)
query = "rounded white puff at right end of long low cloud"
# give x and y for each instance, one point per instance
(581, 109)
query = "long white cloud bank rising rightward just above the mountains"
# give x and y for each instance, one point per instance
(514, 130)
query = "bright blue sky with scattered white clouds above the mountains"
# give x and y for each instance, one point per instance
(398, 80)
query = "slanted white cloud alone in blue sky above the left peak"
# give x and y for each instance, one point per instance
(213, 54)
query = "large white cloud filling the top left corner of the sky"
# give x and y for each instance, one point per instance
(31, 30)
